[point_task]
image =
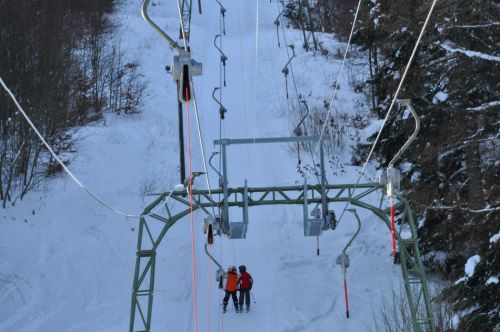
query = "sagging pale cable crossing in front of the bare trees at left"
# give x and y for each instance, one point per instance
(61, 163)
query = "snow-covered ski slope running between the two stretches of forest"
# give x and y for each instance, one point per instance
(67, 262)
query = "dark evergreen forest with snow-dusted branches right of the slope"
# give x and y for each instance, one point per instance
(451, 173)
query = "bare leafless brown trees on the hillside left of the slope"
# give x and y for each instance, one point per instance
(61, 62)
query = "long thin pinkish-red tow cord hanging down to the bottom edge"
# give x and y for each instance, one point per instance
(191, 216)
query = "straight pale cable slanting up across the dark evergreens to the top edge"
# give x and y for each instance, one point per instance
(392, 102)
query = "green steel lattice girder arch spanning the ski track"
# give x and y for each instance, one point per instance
(154, 225)
